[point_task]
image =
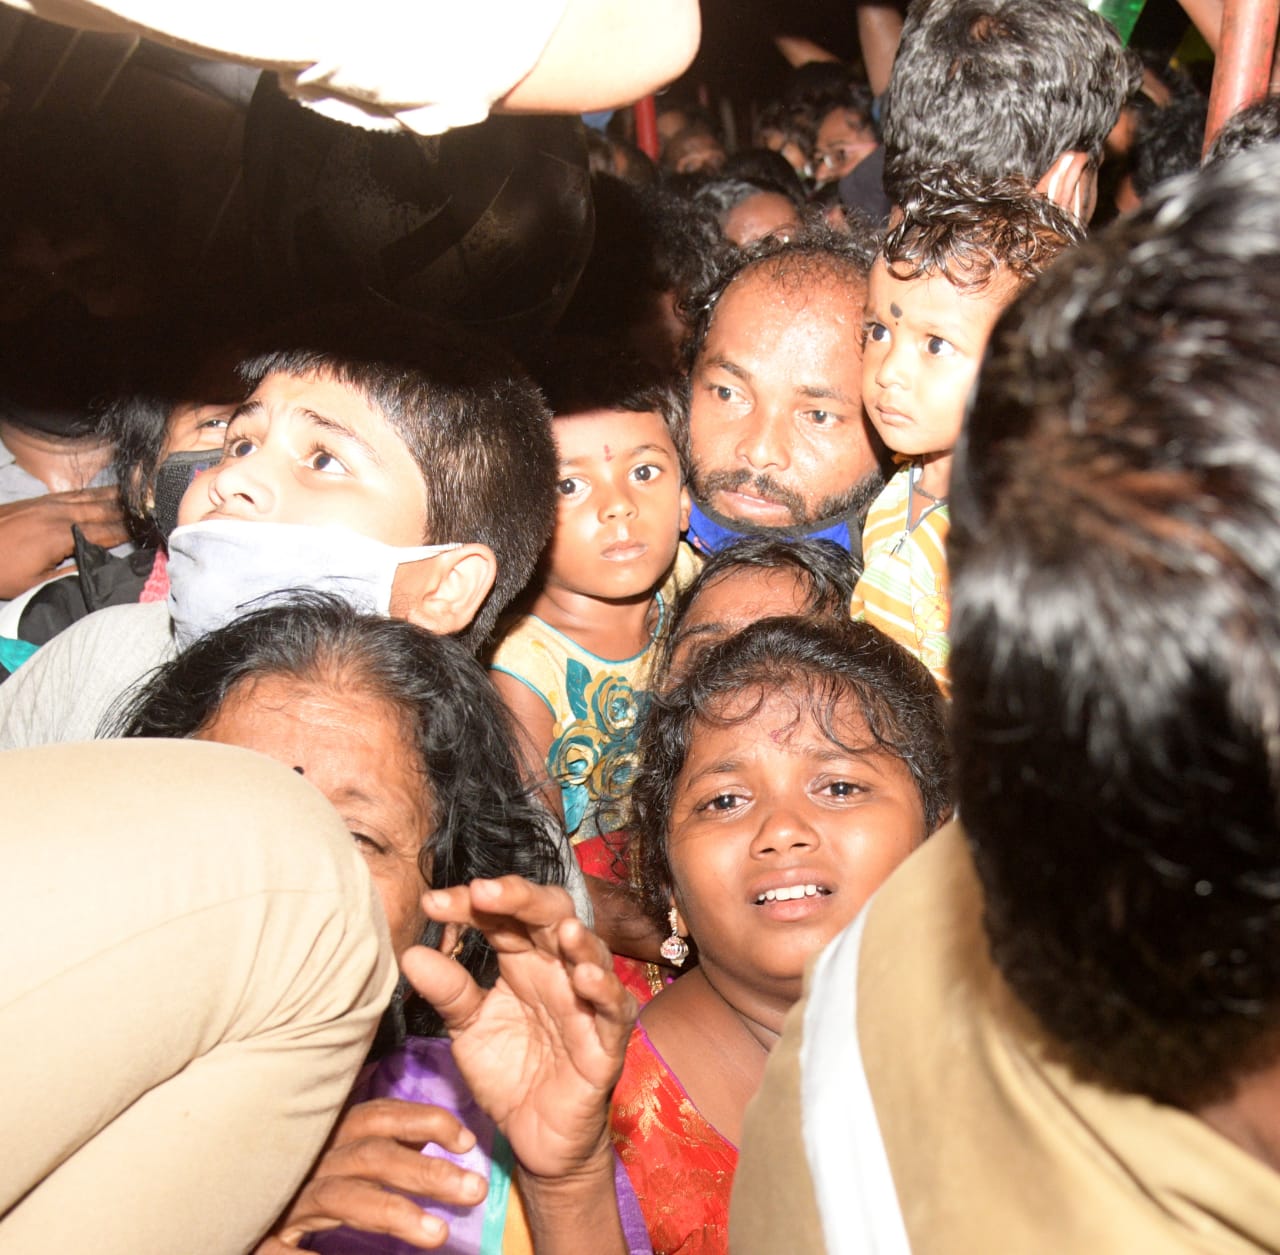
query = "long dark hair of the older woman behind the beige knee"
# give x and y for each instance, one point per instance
(483, 822)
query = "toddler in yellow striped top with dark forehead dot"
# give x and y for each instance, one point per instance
(961, 254)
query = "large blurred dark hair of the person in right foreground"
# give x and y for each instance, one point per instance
(1116, 663)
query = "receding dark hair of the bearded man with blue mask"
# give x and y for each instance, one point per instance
(816, 253)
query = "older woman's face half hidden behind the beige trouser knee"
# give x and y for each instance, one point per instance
(355, 750)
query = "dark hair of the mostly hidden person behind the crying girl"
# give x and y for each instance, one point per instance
(826, 571)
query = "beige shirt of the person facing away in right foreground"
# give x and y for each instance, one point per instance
(994, 1146)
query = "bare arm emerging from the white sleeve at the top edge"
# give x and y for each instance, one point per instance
(609, 53)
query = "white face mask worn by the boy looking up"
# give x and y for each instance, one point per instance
(226, 568)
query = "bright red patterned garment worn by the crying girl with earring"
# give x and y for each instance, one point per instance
(680, 1169)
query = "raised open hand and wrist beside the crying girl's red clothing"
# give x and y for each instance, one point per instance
(542, 1051)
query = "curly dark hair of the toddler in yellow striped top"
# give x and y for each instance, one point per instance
(973, 231)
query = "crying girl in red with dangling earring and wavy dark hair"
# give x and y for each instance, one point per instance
(784, 778)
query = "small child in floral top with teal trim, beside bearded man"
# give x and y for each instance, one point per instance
(575, 669)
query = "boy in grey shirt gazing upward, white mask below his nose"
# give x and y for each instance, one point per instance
(382, 457)
